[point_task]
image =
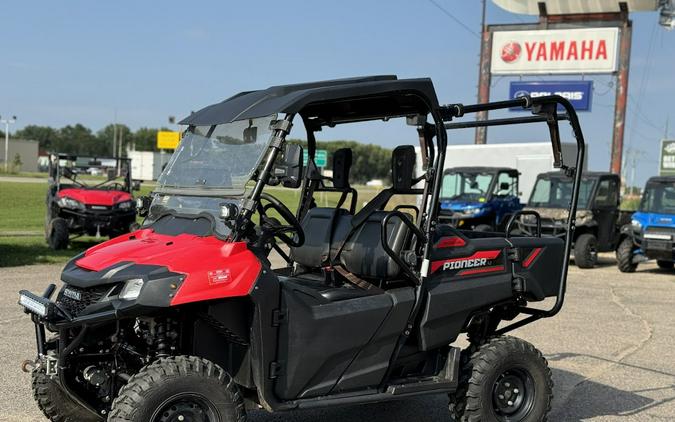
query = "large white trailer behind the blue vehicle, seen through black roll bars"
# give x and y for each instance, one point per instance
(529, 158)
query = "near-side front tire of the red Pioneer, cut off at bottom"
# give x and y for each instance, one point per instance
(193, 387)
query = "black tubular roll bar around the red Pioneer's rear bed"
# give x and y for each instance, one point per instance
(544, 110)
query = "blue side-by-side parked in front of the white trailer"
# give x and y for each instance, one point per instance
(479, 198)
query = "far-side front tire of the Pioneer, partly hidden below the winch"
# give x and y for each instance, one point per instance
(56, 405)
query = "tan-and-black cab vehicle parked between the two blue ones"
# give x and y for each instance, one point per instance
(598, 218)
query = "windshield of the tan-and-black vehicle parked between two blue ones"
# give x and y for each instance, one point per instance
(555, 192)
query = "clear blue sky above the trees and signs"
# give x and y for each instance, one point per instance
(82, 62)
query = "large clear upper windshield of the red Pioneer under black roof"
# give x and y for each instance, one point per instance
(217, 160)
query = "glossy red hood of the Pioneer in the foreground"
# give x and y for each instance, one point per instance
(213, 268)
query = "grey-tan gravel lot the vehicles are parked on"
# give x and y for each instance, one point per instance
(611, 350)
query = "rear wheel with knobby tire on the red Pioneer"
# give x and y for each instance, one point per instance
(505, 379)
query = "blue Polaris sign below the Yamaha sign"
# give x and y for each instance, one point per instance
(579, 93)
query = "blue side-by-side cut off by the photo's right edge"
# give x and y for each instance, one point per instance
(651, 234)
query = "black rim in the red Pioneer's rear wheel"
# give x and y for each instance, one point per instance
(513, 395)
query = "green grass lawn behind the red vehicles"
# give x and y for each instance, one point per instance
(22, 209)
